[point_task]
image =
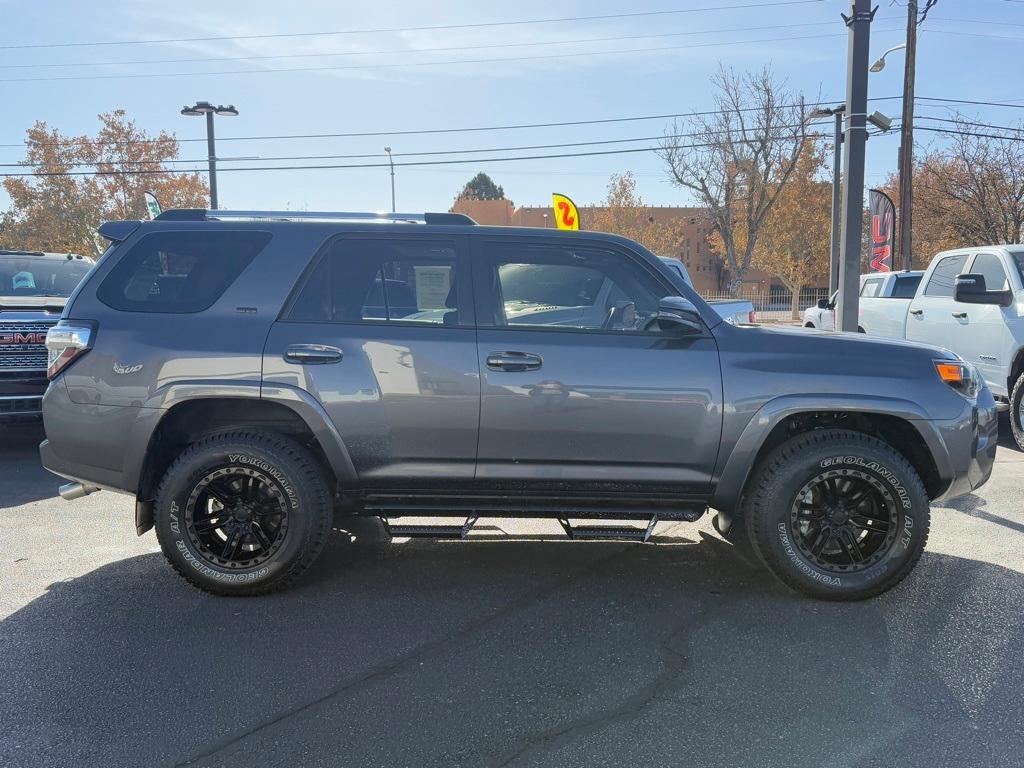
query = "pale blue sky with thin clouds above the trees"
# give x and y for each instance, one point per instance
(970, 50)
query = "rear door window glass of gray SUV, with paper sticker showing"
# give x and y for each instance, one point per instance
(381, 280)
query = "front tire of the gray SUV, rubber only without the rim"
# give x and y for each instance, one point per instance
(774, 491)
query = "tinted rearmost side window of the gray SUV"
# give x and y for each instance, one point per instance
(184, 272)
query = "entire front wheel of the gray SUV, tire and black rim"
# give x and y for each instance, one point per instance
(837, 515)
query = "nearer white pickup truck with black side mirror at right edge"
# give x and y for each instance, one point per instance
(970, 302)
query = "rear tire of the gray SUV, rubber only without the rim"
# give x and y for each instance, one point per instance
(286, 464)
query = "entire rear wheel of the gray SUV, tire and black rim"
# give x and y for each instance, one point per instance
(243, 514)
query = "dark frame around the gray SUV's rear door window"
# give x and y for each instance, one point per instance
(463, 271)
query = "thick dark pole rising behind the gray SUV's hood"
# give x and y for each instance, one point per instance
(860, 25)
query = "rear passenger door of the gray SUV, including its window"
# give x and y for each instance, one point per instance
(381, 333)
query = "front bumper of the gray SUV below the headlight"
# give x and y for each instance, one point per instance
(970, 447)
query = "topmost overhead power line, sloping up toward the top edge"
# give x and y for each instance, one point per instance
(425, 28)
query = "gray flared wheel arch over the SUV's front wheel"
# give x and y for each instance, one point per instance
(901, 423)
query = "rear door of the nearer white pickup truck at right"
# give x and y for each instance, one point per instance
(934, 317)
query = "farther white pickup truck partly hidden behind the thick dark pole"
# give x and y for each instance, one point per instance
(885, 297)
